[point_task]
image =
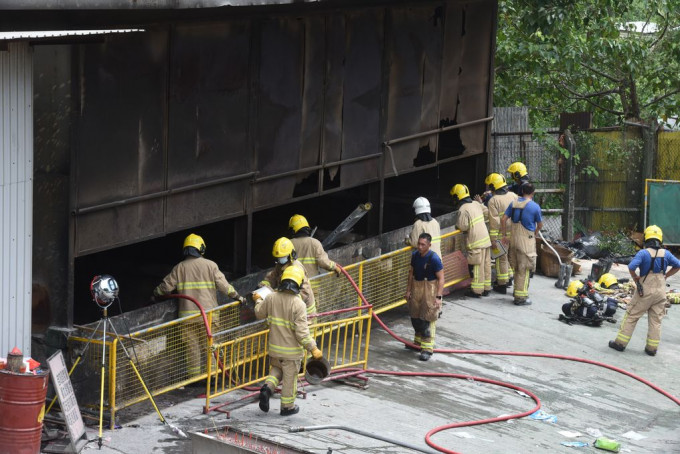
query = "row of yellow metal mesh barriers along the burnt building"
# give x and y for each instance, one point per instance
(237, 353)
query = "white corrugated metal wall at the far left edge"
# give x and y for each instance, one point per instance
(16, 196)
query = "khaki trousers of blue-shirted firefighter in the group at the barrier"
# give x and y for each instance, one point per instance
(522, 257)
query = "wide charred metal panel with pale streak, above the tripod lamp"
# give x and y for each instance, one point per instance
(121, 139)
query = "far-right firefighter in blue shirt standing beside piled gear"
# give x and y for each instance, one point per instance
(650, 297)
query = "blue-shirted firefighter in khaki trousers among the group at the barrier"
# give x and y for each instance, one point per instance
(525, 215)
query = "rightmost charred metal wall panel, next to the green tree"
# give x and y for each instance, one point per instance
(476, 57)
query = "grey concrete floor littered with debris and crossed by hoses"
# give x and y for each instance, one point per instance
(581, 397)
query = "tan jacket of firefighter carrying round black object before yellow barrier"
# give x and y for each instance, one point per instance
(288, 330)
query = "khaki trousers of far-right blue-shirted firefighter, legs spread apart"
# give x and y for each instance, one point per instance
(653, 303)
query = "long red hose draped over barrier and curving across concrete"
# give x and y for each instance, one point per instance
(485, 380)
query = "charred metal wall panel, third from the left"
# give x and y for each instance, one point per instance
(279, 119)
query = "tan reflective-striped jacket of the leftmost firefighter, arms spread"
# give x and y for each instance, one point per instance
(198, 278)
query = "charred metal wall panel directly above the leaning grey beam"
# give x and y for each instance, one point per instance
(361, 133)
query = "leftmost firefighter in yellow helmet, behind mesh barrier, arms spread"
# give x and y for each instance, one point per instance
(199, 278)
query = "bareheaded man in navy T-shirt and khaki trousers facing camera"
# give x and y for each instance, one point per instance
(424, 293)
